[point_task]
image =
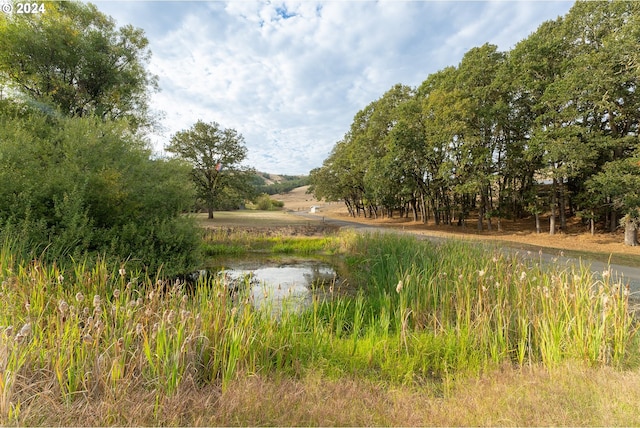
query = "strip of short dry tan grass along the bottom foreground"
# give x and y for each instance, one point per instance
(569, 395)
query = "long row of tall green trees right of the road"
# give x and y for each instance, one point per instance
(549, 127)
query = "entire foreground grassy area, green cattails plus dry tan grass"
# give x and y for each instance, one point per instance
(438, 335)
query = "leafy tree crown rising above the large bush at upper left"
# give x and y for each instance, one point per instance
(73, 57)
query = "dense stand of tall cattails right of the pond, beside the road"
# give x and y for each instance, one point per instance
(469, 307)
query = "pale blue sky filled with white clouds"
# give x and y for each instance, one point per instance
(291, 75)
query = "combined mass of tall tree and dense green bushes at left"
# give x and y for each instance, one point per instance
(77, 179)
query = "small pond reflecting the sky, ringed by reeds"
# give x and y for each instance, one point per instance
(284, 283)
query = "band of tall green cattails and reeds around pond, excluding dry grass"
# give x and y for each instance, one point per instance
(423, 315)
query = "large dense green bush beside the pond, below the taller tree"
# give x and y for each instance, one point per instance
(74, 186)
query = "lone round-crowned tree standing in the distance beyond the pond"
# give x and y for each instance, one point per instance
(216, 155)
